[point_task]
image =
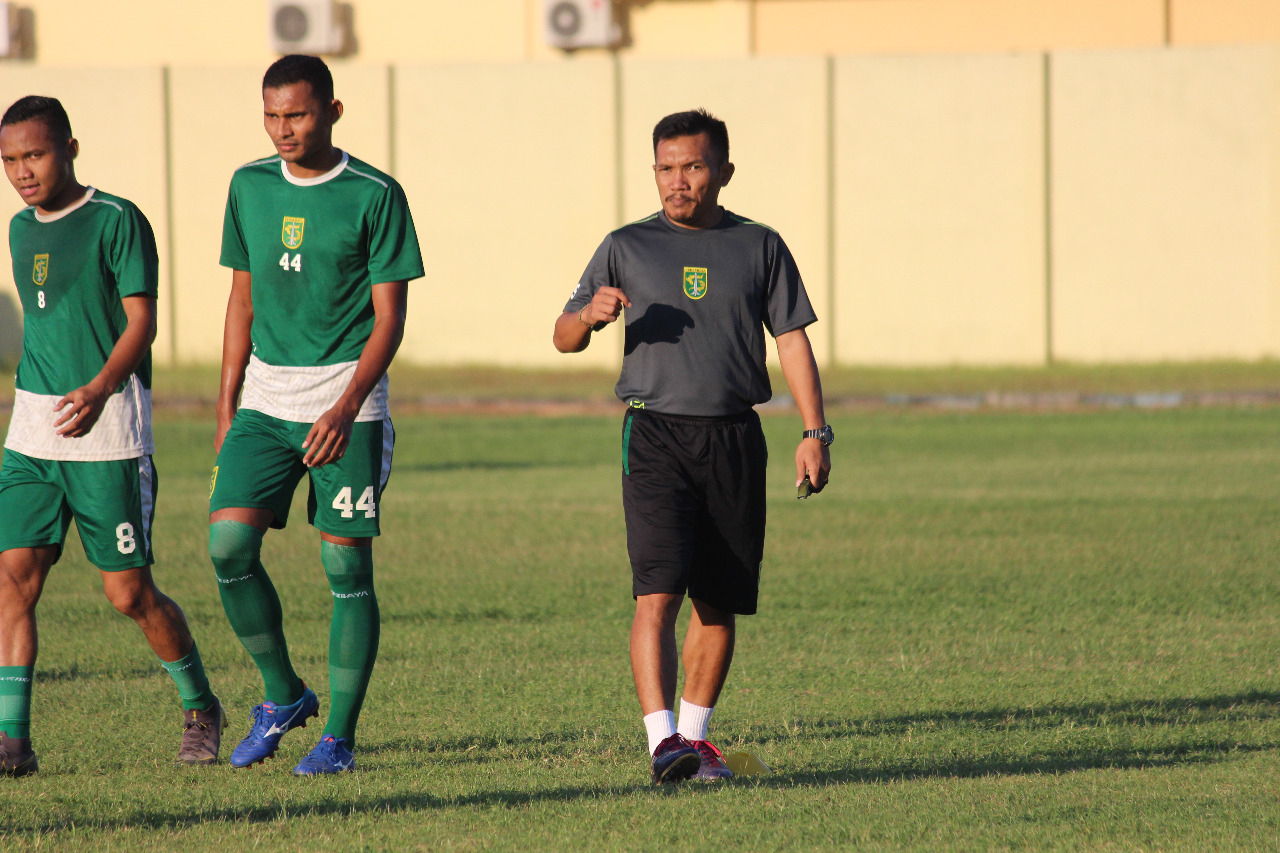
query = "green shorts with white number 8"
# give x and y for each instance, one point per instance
(113, 505)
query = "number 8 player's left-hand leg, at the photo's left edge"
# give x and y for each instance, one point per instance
(36, 519)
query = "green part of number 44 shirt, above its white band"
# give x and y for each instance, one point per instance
(314, 249)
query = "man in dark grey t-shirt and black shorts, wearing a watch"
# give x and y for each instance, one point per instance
(701, 286)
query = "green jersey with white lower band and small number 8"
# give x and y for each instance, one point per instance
(74, 270)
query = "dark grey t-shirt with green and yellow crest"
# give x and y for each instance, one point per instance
(701, 303)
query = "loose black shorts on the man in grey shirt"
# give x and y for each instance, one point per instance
(693, 490)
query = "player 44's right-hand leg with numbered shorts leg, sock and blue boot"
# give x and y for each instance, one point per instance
(345, 507)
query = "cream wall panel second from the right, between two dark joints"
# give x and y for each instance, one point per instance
(940, 211)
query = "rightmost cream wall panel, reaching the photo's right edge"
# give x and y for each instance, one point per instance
(1164, 204)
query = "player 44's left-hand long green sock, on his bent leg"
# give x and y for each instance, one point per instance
(253, 606)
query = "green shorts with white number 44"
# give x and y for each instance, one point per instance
(260, 467)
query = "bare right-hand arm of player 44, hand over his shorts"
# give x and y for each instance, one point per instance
(331, 435)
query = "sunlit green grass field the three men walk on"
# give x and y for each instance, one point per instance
(994, 631)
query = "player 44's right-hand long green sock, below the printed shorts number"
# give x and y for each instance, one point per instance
(353, 635)
